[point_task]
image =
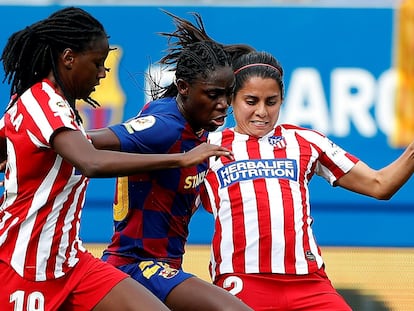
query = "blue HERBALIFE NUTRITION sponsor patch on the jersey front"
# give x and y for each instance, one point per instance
(253, 169)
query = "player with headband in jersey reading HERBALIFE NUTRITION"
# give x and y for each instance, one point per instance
(263, 249)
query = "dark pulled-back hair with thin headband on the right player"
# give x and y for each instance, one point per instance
(262, 64)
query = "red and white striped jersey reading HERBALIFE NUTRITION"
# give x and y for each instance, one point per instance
(260, 200)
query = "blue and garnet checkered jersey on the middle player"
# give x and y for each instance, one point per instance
(152, 210)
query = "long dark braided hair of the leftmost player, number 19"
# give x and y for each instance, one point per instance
(31, 53)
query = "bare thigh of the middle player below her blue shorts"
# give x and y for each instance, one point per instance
(198, 295)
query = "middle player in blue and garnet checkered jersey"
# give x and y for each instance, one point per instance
(152, 210)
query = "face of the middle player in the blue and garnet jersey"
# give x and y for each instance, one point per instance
(205, 101)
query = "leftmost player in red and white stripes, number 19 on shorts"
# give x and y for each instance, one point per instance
(43, 265)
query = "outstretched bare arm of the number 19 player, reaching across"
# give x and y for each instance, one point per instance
(77, 150)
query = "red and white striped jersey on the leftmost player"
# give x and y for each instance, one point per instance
(44, 194)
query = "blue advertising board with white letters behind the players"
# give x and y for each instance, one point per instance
(339, 78)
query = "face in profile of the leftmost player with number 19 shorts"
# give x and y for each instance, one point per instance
(86, 69)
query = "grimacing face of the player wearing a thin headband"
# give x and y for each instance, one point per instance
(256, 106)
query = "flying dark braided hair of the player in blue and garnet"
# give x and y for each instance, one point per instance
(192, 55)
